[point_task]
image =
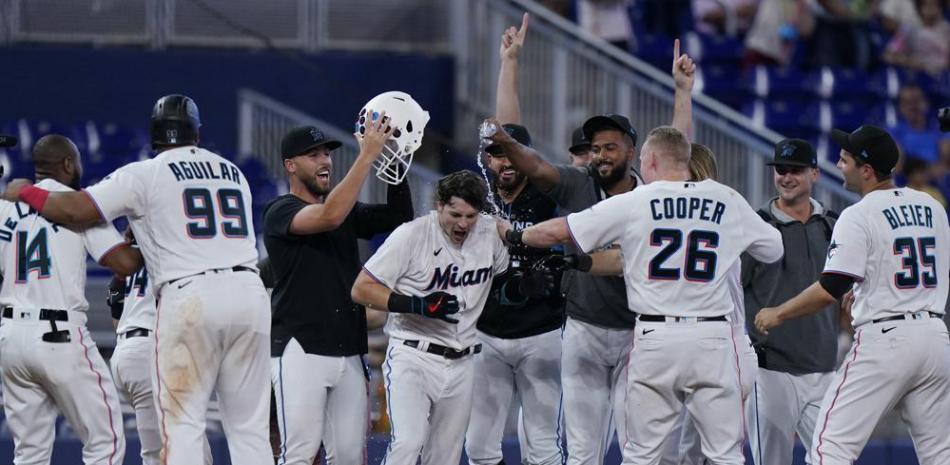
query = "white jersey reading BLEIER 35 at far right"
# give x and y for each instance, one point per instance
(895, 244)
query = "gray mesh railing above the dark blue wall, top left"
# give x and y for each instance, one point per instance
(404, 25)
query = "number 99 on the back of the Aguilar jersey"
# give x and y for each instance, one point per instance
(200, 205)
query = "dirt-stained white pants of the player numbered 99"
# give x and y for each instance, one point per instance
(213, 334)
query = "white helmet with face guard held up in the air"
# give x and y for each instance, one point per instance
(408, 121)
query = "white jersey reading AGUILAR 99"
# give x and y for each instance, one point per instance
(189, 208)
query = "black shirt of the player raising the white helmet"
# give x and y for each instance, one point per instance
(313, 274)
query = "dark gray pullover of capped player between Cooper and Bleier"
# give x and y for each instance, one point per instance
(768, 285)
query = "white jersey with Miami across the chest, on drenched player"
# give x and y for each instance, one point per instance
(419, 259)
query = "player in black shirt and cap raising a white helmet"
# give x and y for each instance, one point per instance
(318, 335)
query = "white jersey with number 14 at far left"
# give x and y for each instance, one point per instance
(44, 264)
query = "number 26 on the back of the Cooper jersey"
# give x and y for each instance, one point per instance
(700, 263)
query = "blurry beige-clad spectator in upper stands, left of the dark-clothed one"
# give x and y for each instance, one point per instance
(775, 31)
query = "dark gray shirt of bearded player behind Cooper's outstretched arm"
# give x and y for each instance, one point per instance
(598, 300)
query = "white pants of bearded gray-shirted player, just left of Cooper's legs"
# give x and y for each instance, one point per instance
(593, 376)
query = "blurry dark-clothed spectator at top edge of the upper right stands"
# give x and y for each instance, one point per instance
(841, 37)
